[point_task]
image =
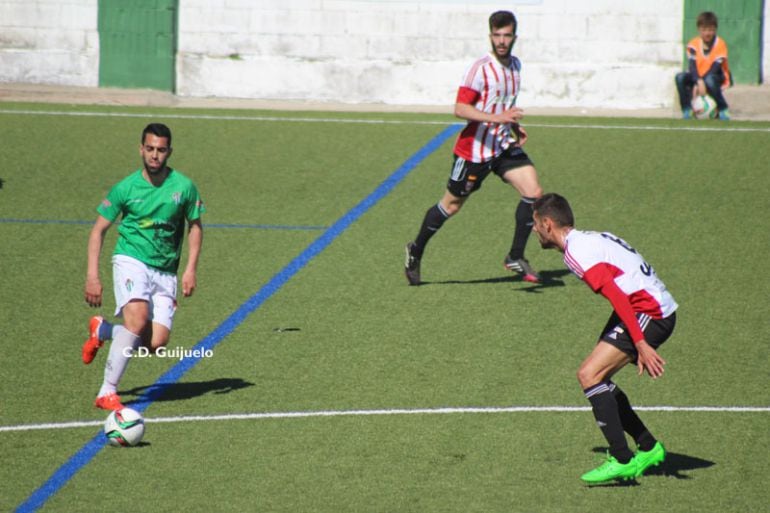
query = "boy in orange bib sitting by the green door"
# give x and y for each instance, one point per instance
(708, 72)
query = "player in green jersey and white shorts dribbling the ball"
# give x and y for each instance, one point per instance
(154, 202)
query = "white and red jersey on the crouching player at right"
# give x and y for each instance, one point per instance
(597, 258)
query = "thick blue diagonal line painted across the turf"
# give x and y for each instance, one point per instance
(68, 470)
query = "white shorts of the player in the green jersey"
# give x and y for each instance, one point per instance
(133, 279)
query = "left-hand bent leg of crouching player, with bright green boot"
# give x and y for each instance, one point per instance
(594, 377)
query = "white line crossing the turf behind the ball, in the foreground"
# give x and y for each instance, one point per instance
(366, 413)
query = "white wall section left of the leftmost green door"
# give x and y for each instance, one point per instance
(49, 42)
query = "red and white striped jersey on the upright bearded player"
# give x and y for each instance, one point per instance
(490, 87)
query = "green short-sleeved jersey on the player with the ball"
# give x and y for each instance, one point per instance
(153, 222)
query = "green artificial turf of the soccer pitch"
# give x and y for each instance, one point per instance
(694, 203)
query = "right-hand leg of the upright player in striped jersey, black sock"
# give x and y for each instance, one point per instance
(524, 179)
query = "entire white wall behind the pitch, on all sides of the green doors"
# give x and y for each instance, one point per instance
(598, 53)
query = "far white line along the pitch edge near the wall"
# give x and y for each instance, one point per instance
(721, 128)
